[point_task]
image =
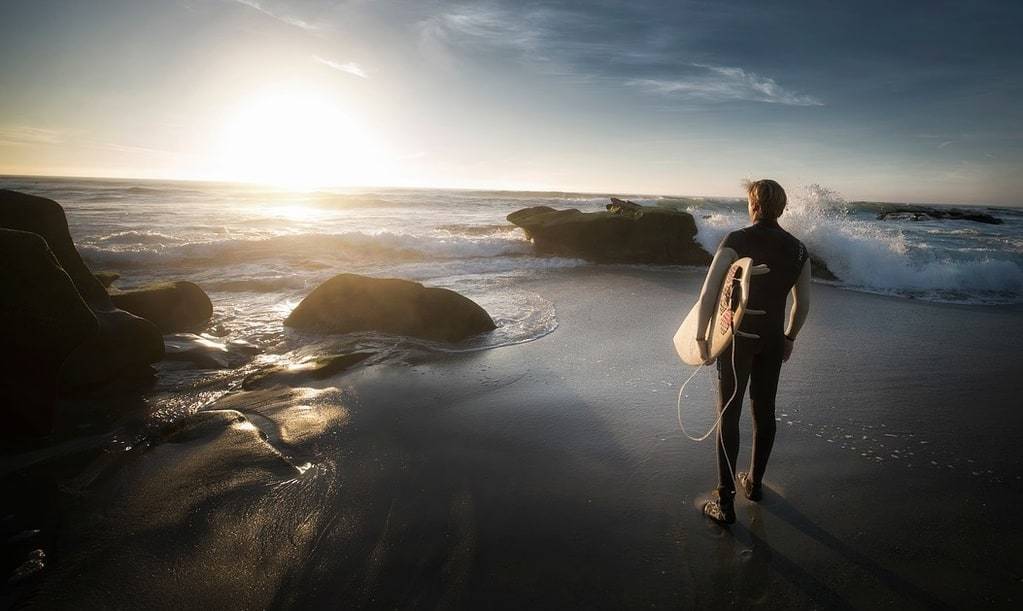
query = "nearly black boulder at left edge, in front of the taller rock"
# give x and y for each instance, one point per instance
(45, 320)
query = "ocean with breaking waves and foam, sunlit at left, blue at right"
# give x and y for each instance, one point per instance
(258, 251)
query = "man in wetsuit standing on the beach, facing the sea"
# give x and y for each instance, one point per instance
(764, 341)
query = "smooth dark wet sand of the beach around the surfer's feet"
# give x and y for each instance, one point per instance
(554, 475)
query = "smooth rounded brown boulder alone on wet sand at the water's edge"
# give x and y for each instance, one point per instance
(349, 303)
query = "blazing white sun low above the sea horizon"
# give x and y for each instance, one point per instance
(297, 140)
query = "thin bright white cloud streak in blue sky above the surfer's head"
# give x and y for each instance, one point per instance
(718, 83)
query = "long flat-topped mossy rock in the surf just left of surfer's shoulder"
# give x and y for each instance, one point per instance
(627, 234)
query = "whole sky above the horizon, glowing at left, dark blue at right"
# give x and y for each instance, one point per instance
(898, 102)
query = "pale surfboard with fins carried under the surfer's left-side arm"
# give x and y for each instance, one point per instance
(728, 315)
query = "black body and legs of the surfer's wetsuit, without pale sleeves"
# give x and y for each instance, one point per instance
(758, 362)
